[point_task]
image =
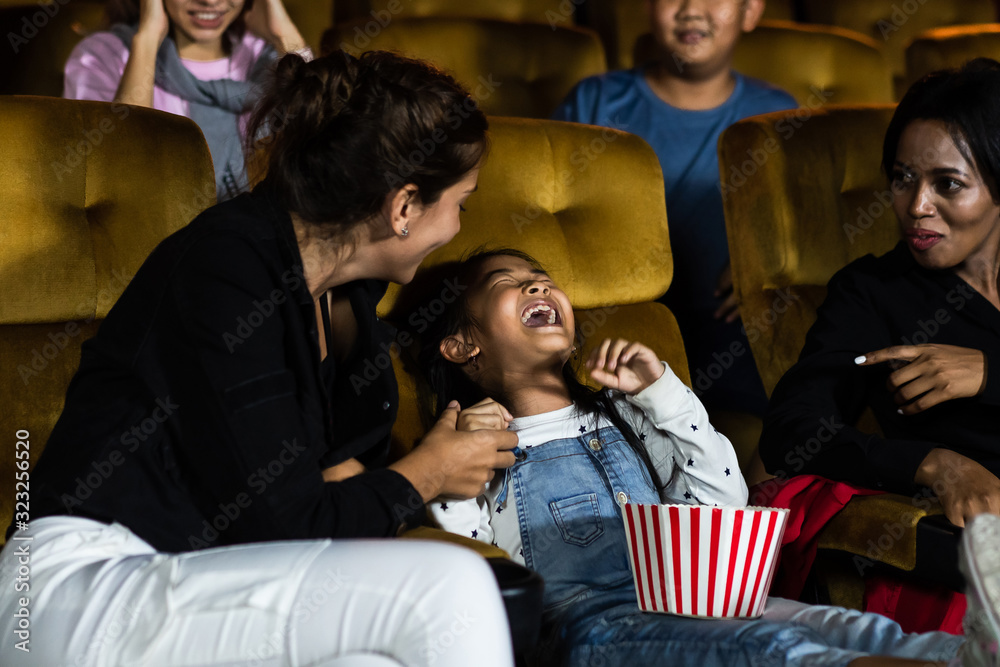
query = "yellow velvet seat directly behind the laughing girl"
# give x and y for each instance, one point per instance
(598, 225)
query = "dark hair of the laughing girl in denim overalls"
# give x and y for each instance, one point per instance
(443, 381)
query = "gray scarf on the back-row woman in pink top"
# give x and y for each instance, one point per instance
(215, 106)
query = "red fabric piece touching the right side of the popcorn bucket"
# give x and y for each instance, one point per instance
(813, 501)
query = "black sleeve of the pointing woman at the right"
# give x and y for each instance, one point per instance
(809, 426)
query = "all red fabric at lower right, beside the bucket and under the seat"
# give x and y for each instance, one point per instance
(813, 501)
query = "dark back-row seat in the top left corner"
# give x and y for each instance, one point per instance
(38, 38)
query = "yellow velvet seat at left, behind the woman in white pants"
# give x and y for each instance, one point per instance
(87, 190)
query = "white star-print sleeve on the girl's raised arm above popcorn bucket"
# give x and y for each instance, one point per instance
(698, 461)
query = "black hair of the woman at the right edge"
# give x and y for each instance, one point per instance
(967, 101)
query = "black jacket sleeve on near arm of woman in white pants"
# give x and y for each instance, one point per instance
(244, 438)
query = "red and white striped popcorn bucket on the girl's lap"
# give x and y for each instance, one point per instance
(706, 562)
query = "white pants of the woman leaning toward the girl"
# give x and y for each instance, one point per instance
(98, 596)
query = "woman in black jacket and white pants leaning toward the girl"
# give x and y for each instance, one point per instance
(219, 406)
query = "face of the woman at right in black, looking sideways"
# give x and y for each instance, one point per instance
(946, 212)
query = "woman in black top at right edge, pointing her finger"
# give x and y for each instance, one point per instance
(914, 334)
